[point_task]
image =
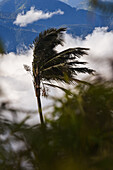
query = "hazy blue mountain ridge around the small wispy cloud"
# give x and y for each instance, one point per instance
(78, 22)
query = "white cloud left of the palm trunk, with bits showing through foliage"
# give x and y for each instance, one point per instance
(17, 84)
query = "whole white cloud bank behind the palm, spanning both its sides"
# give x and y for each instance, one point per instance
(17, 83)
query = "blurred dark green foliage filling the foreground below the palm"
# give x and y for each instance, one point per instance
(79, 135)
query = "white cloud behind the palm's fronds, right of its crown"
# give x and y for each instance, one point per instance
(101, 51)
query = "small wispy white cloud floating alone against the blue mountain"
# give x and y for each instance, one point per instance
(34, 15)
